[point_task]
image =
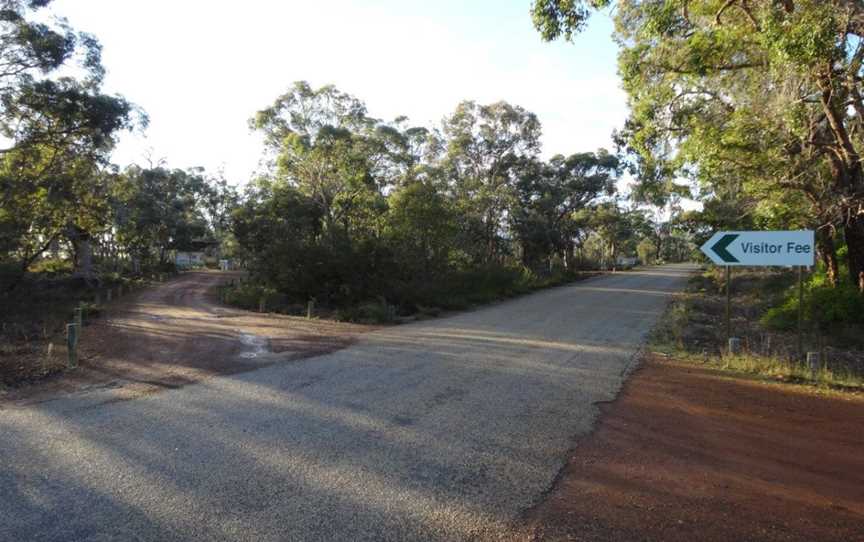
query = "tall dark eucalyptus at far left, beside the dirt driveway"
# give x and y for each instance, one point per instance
(57, 129)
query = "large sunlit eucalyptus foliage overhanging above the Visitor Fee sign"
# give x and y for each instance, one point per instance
(762, 93)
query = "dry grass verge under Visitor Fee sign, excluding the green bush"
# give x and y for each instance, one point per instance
(693, 330)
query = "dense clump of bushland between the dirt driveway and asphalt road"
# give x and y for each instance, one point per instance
(358, 212)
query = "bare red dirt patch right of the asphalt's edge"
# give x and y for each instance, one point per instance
(687, 453)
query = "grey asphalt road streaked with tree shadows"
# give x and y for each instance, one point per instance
(440, 430)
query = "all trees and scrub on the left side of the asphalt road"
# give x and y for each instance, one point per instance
(371, 219)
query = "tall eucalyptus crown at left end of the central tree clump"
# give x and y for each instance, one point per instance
(322, 142)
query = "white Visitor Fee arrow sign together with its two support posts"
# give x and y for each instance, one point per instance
(763, 249)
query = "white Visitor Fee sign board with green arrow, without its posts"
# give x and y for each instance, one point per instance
(761, 248)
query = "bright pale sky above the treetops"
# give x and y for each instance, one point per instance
(200, 69)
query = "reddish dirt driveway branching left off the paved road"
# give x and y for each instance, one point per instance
(175, 334)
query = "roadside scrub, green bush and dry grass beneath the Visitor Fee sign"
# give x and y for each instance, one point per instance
(765, 317)
